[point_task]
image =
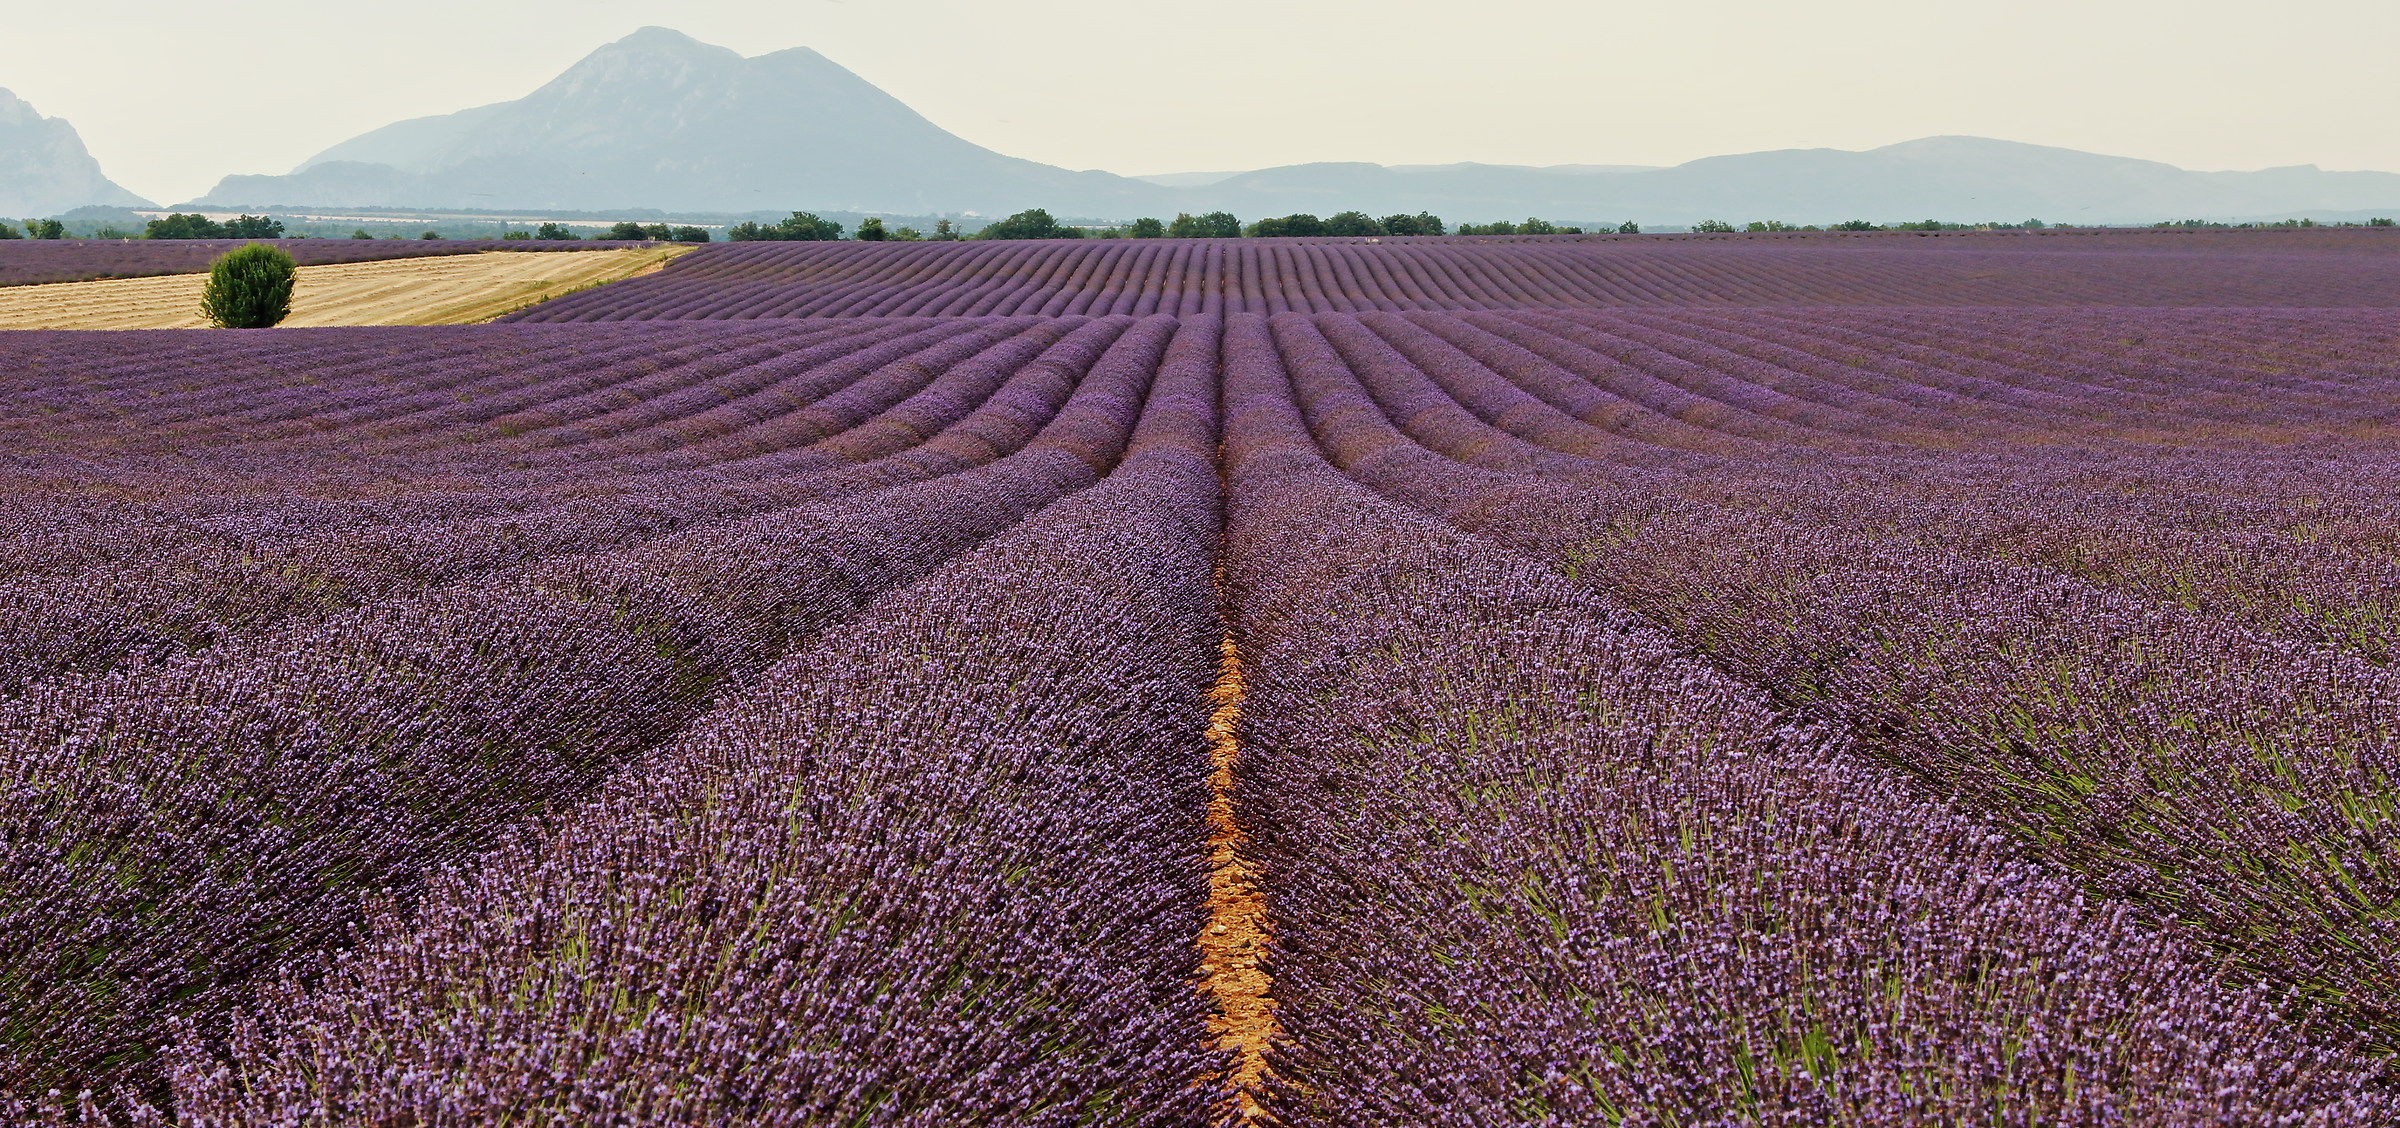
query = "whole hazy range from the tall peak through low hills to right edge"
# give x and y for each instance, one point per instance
(664, 121)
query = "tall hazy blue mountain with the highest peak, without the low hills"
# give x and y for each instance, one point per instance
(671, 124)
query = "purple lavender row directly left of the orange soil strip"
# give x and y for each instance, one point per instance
(940, 868)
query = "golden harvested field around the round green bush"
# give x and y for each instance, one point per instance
(452, 289)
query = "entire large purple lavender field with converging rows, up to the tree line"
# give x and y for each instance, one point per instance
(1172, 683)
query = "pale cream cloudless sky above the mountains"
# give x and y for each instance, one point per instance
(174, 95)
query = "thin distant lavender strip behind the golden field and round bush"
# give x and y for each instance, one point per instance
(25, 263)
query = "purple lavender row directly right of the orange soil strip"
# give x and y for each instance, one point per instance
(1532, 865)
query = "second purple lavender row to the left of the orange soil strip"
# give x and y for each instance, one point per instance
(181, 832)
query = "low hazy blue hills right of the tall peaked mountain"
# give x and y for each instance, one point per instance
(1955, 179)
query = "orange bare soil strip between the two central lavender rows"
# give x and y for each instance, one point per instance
(1237, 930)
